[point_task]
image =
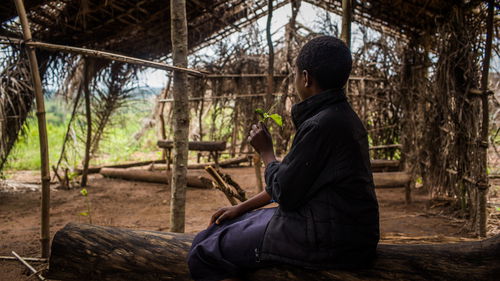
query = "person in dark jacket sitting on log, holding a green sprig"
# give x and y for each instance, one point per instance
(327, 214)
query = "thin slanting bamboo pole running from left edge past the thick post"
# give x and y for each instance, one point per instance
(101, 55)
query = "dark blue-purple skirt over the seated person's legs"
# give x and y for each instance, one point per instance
(226, 250)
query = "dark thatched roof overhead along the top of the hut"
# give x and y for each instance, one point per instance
(142, 28)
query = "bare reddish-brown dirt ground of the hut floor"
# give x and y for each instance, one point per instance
(141, 205)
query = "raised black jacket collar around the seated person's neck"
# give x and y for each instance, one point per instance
(311, 106)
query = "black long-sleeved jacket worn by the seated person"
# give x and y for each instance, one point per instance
(328, 210)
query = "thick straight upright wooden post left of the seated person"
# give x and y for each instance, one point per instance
(181, 115)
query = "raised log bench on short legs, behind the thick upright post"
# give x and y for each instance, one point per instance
(213, 147)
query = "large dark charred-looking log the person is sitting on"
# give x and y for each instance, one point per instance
(88, 252)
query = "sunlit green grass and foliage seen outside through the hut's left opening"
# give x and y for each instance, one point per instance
(118, 144)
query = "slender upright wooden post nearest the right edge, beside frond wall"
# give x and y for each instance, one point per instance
(483, 185)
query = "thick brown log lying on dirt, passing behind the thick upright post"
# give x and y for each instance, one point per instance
(155, 177)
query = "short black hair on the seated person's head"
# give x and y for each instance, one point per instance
(328, 60)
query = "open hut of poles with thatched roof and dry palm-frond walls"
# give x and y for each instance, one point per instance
(424, 99)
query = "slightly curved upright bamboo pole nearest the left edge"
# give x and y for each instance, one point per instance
(42, 131)
